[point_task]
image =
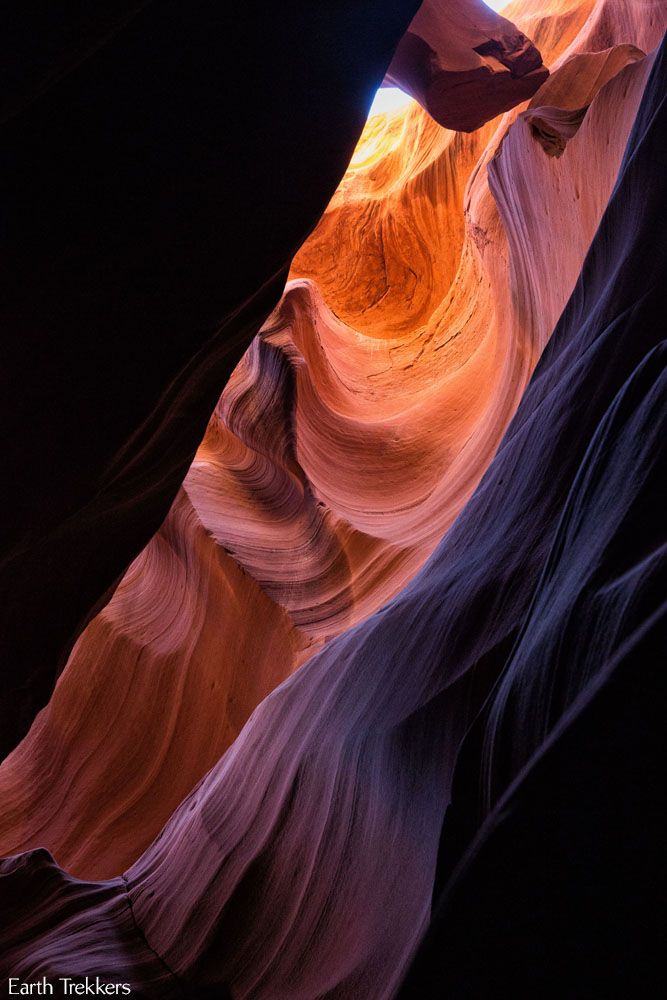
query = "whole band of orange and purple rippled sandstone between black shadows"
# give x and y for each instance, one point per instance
(345, 529)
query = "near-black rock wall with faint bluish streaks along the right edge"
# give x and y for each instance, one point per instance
(556, 826)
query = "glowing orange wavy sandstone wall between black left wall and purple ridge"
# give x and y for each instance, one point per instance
(334, 462)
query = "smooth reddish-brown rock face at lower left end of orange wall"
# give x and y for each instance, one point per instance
(156, 689)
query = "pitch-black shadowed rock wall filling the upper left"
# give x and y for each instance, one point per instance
(145, 150)
